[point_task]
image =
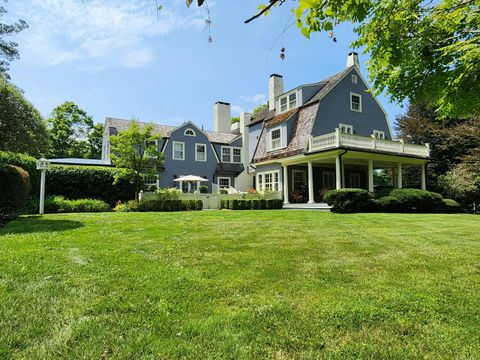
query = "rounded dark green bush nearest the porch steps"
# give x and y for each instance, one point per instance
(350, 200)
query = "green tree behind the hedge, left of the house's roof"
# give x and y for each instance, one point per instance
(69, 127)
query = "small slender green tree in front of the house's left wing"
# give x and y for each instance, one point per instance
(135, 153)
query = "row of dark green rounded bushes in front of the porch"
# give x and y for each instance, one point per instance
(399, 201)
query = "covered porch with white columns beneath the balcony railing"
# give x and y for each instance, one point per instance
(306, 178)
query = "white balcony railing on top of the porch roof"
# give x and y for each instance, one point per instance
(338, 139)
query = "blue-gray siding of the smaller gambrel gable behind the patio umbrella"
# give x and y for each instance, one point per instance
(175, 168)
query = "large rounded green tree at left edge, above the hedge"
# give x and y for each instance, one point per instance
(22, 128)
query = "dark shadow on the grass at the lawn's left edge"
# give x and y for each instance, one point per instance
(35, 224)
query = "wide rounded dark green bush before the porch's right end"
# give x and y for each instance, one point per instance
(416, 200)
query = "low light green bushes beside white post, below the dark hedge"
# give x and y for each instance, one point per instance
(58, 204)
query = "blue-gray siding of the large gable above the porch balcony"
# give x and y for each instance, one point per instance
(335, 108)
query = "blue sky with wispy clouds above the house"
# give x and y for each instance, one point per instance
(115, 58)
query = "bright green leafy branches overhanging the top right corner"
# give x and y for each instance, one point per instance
(419, 50)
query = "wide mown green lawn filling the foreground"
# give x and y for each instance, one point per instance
(240, 284)
